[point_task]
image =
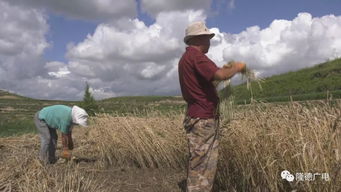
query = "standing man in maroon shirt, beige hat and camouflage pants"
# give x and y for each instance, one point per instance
(196, 74)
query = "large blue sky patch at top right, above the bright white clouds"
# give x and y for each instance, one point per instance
(262, 12)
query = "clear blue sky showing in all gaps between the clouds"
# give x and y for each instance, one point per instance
(245, 13)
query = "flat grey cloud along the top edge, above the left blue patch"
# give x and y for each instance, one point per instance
(86, 10)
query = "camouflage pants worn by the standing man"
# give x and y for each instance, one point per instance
(202, 135)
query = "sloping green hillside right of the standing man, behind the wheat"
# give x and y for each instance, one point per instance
(309, 83)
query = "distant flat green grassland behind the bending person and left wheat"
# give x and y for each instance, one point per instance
(16, 112)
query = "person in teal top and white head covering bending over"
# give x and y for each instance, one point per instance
(60, 117)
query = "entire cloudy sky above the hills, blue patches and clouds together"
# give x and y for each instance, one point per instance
(49, 49)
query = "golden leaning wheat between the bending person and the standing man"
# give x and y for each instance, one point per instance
(153, 142)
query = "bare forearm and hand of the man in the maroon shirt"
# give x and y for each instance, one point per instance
(229, 71)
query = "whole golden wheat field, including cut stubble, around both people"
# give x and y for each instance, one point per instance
(149, 153)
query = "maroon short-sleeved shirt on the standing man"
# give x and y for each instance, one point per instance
(196, 72)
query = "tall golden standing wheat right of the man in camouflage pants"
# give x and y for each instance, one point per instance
(262, 140)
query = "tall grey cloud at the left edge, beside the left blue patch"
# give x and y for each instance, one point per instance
(22, 42)
